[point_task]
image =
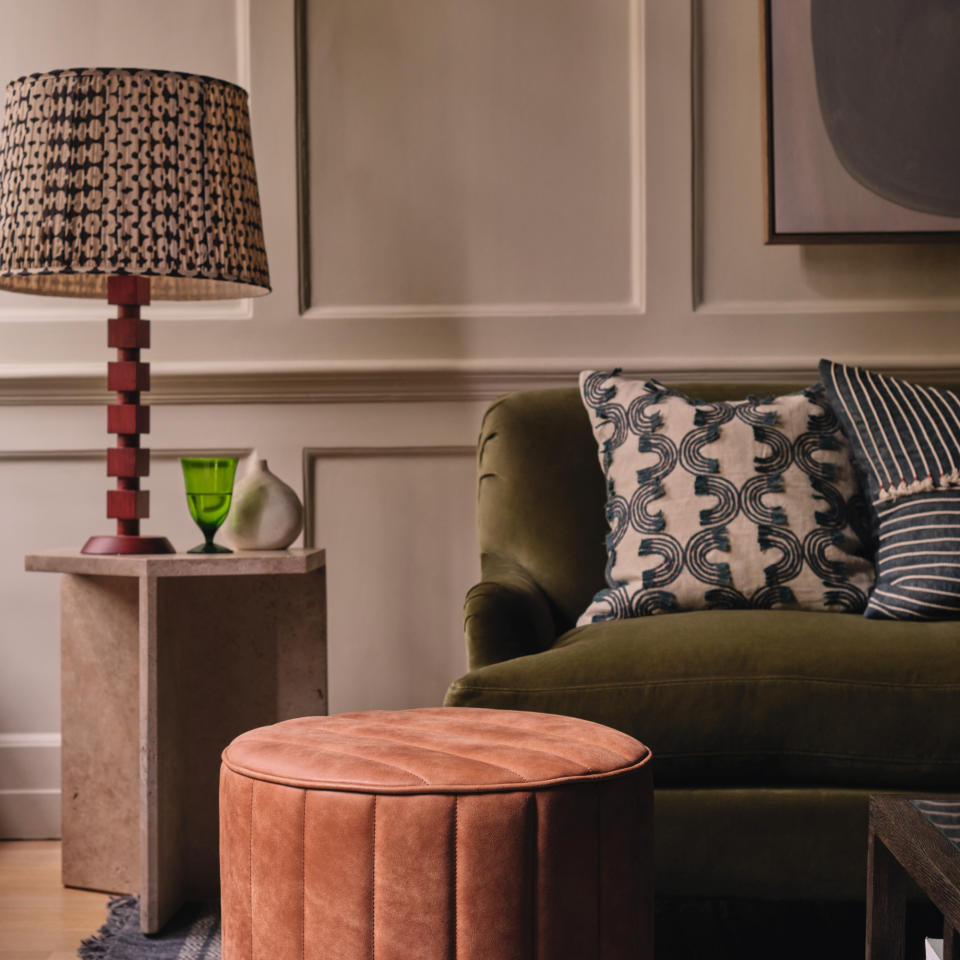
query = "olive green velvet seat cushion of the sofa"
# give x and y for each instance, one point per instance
(755, 698)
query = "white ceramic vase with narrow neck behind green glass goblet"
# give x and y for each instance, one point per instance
(265, 514)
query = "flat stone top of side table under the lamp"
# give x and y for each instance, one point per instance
(241, 563)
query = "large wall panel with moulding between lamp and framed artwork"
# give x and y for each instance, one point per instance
(405, 210)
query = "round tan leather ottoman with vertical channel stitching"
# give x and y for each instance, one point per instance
(437, 834)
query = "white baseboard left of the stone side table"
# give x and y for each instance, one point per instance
(29, 786)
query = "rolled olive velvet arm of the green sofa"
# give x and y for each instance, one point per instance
(506, 615)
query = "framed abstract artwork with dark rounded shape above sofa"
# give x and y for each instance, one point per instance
(861, 124)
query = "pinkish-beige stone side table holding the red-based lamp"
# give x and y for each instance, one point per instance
(165, 659)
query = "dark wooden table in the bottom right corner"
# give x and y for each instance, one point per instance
(916, 837)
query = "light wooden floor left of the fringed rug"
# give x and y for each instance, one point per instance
(39, 919)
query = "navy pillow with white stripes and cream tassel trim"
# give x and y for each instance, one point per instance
(905, 441)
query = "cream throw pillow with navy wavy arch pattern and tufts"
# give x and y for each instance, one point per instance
(736, 505)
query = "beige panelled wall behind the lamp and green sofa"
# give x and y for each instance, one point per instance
(502, 194)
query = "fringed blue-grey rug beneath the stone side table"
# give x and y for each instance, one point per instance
(193, 934)
